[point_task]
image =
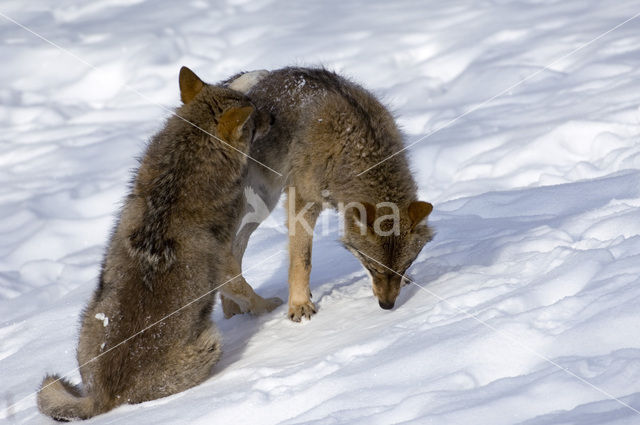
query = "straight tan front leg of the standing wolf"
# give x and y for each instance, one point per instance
(301, 219)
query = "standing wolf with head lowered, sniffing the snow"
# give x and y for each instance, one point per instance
(327, 130)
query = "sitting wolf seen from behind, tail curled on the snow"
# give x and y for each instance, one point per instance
(147, 332)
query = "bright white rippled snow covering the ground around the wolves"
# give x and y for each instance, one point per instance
(530, 308)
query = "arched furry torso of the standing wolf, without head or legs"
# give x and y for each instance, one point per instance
(310, 104)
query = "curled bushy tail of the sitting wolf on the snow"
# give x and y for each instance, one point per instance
(63, 401)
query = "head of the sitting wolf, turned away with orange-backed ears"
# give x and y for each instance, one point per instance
(223, 112)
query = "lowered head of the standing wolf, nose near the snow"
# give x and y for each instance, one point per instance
(386, 239)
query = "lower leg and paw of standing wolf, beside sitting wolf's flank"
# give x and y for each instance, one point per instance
(238, 296)
